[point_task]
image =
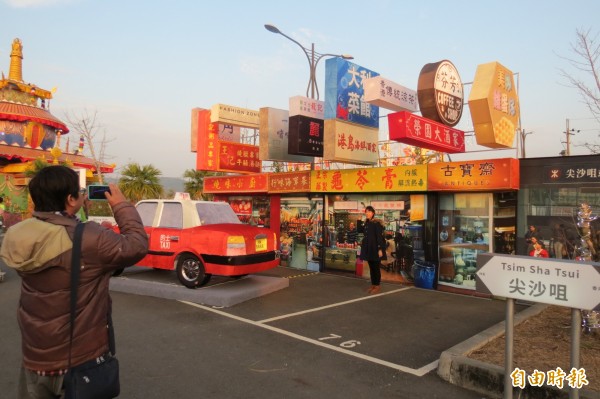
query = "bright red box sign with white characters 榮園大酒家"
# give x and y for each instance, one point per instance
(422, 132)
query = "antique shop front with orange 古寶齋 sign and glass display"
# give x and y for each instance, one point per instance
(476, 213)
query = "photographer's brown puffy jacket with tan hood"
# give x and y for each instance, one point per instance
(40, 250)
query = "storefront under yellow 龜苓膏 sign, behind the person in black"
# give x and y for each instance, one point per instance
(398, 195)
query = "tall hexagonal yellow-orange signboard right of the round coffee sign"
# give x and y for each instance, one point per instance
(494, 106)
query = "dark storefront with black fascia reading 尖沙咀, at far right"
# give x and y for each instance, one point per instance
(552, 191)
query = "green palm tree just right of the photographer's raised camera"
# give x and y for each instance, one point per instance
(140, 182)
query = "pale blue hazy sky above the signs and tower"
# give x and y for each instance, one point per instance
(142, 66)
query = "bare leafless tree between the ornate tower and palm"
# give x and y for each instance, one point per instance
(87, 126)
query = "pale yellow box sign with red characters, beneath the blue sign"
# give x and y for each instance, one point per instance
(346, 142)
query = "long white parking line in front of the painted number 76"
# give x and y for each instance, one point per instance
(416, 372)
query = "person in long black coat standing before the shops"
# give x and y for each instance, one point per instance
(372, 248)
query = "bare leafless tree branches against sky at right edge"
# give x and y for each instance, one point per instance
(586, 52)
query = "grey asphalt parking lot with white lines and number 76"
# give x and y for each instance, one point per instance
(317, 336)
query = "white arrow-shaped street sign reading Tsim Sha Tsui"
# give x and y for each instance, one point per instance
(552, 281)
